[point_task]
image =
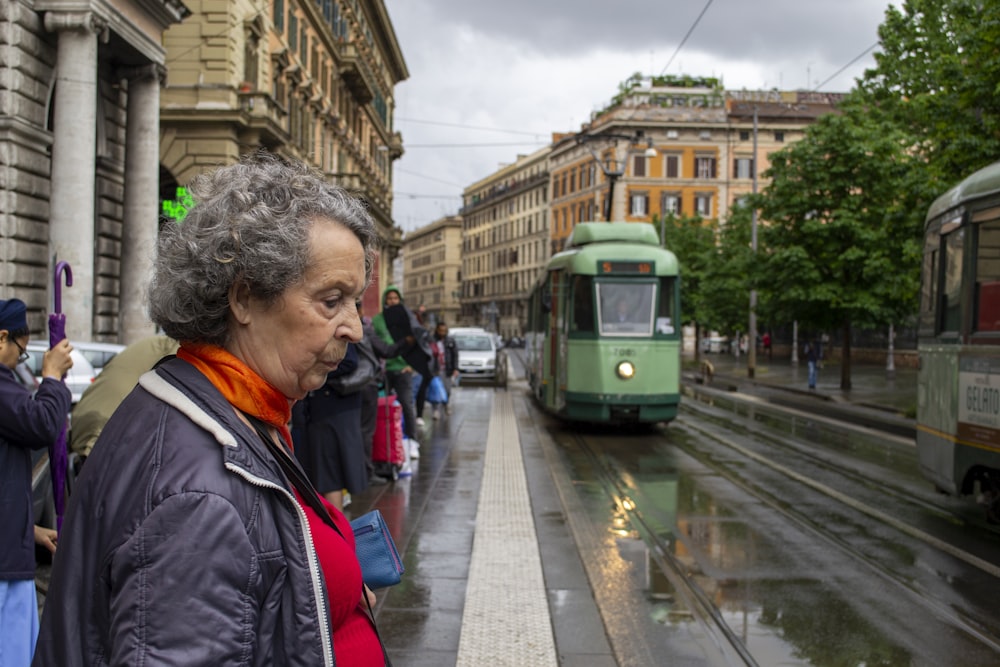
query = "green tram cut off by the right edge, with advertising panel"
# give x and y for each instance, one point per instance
(958, 399)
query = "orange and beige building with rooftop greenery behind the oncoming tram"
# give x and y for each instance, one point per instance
(702, 157)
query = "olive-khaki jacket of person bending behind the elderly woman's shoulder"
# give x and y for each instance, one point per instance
(110, 388)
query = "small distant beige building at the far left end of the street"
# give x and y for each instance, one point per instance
(432, 270)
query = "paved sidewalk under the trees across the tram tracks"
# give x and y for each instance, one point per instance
(871, 385)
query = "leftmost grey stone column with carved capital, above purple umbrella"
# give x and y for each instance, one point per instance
(74, 148)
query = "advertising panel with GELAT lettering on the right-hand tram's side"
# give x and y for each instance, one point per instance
(979, 400)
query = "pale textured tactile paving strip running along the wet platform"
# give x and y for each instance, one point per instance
(506, 619)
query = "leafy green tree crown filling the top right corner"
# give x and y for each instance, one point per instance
(937, 78)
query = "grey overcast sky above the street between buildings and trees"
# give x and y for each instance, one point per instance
(491, 80)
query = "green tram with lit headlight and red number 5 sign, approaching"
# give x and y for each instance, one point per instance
(603, 339)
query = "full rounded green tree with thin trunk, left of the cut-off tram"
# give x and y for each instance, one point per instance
(840, 249)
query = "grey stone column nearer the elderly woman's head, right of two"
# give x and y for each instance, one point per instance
(142, 193)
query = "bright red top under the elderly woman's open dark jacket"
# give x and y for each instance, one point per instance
(354, 638)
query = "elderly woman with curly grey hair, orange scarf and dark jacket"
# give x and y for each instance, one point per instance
(190, 537)
